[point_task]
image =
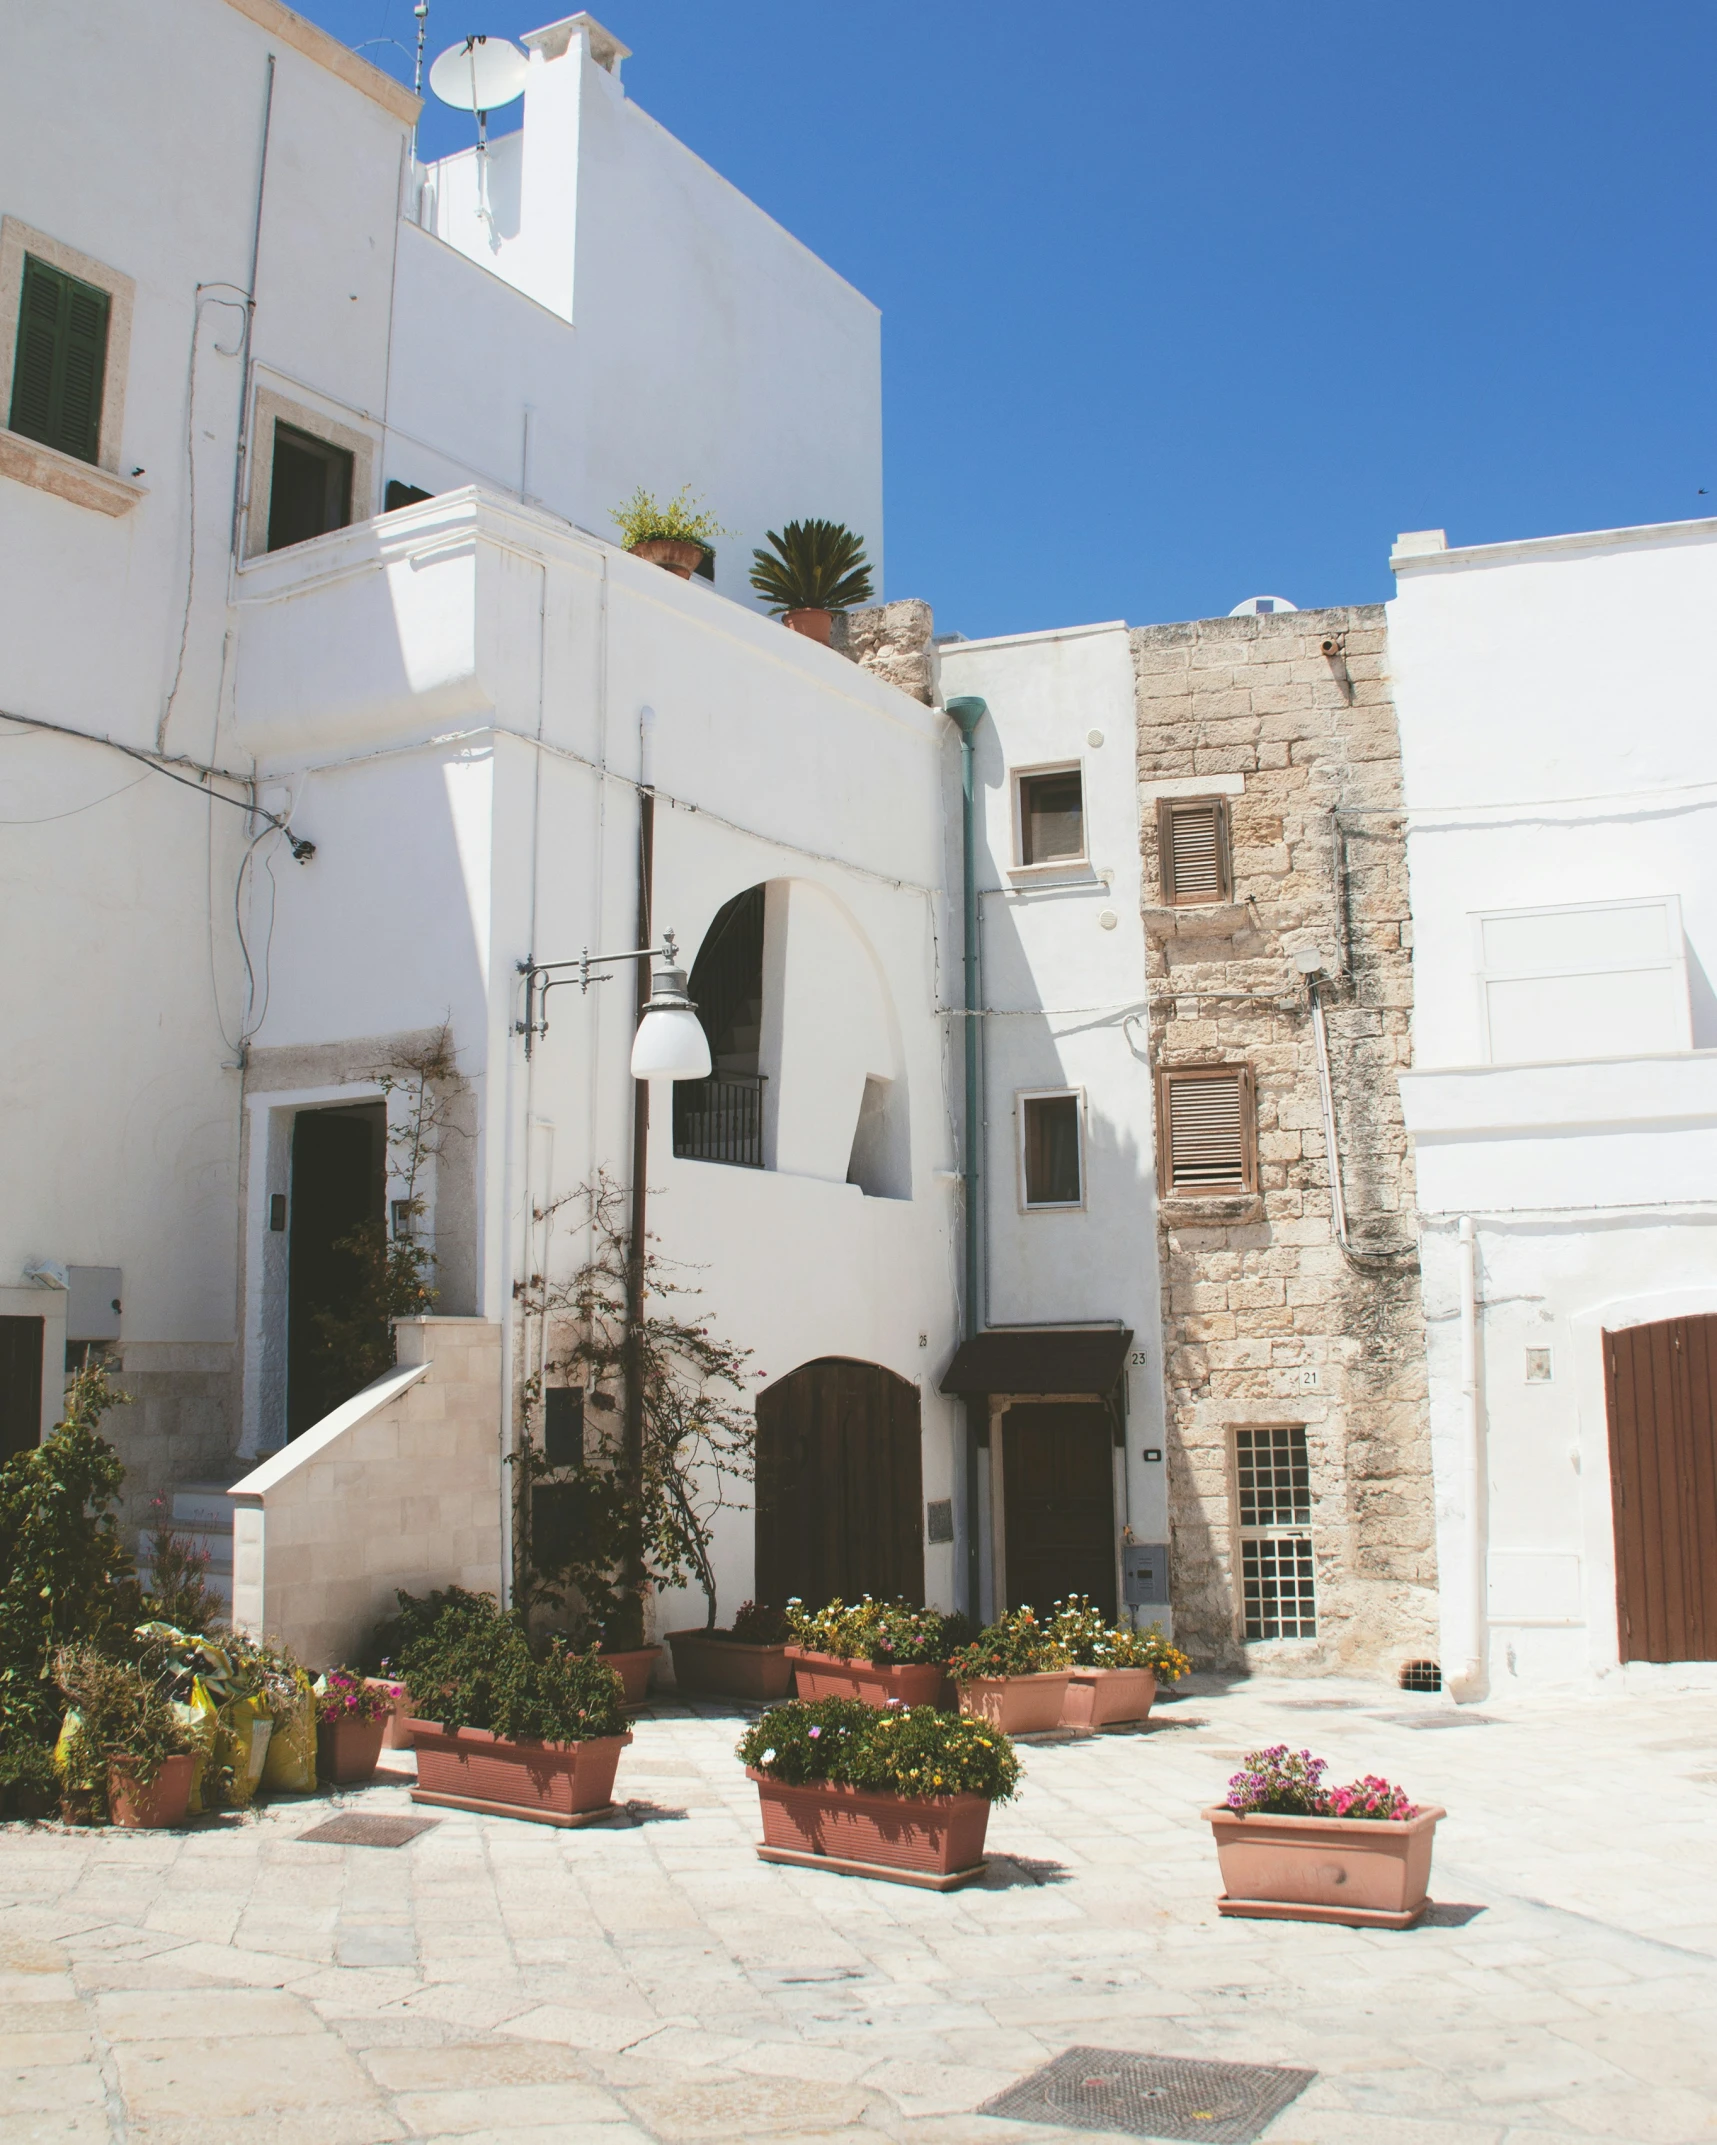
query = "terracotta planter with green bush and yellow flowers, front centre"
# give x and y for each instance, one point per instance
(877, 1792)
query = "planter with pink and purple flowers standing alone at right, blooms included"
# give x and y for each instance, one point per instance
(1302, 1852)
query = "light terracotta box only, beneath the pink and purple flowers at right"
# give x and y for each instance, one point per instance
(1368, 1874)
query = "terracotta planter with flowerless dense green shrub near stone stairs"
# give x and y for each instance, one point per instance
(508, 1724)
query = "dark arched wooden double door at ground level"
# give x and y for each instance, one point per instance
(840, 1485)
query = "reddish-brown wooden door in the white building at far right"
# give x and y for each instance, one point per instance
(1662, 1391)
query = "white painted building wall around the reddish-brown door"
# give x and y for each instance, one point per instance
(1555, 702)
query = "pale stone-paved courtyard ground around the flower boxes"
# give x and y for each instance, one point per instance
(656, 1983)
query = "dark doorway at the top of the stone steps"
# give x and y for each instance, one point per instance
(338, 1192)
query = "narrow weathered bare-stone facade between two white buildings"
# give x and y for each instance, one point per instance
(1265, 1318)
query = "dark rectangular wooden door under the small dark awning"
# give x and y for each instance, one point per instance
(1059, 1498)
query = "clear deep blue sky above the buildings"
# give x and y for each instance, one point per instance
(1209, 299)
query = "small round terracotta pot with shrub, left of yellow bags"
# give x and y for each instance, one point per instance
(123, 1736)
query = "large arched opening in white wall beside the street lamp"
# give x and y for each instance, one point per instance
(808, 1067)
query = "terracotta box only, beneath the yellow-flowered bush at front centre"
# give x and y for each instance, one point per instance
(933, 1841)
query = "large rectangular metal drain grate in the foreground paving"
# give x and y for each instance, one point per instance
(1154, 2097)
